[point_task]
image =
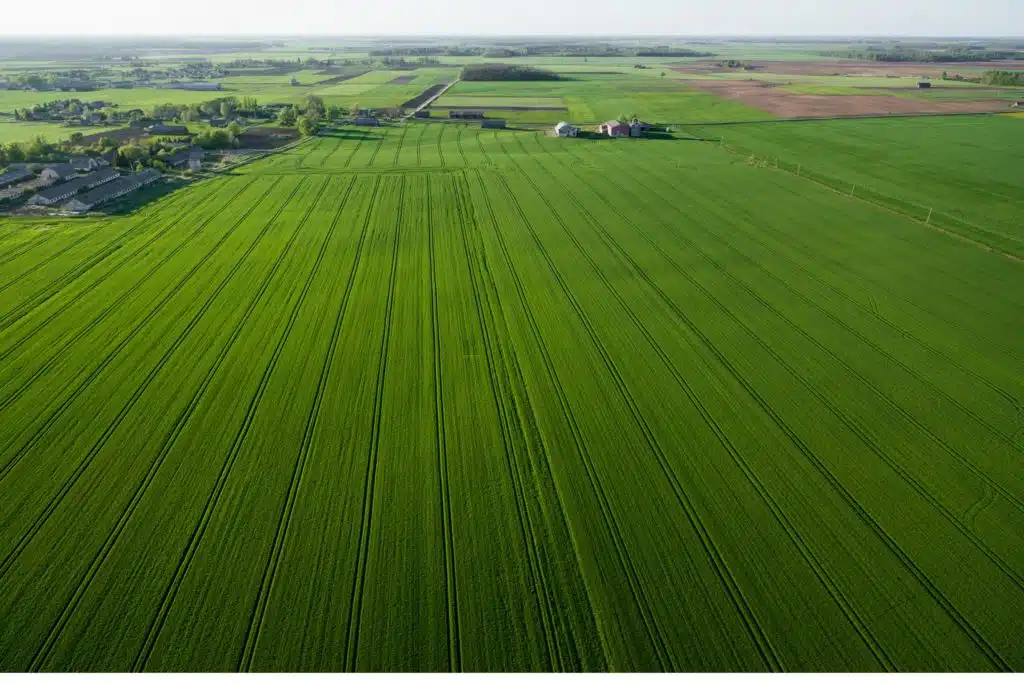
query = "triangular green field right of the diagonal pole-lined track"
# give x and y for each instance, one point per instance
(965, 170)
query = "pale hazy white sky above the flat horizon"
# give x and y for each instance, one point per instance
(788, 18)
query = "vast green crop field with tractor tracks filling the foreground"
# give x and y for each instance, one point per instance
(434, 398)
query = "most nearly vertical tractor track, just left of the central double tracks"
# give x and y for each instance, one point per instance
(445, 480)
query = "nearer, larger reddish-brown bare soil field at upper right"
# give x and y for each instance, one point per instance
(787, 105)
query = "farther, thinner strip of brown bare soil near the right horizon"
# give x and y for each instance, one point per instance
(856, 68)
